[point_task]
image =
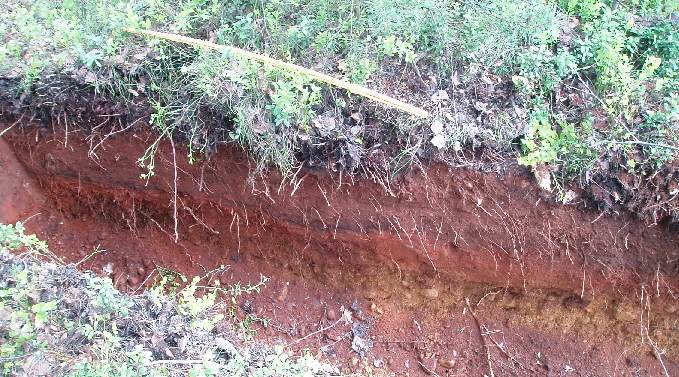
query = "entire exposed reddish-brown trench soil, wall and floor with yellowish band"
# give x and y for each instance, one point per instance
(554, 290)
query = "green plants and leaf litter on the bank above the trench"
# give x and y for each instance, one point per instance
(576, 86)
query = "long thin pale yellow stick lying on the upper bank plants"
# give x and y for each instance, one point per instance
(292, 67)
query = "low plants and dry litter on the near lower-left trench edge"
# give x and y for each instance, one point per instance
(56, 320)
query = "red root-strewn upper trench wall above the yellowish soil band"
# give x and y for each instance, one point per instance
(453, 224)
